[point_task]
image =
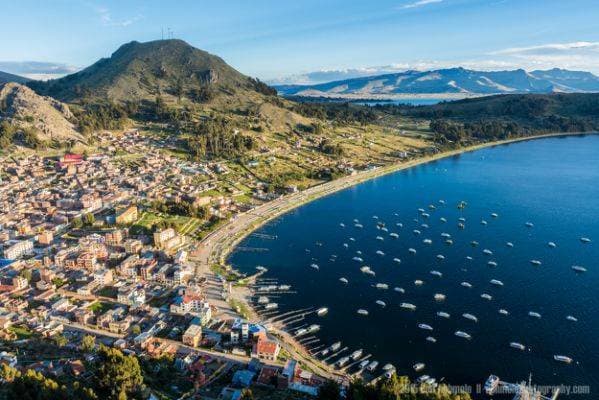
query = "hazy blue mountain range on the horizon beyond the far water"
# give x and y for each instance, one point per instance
(455, 81)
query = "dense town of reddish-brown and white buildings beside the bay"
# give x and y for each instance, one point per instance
(86, 253)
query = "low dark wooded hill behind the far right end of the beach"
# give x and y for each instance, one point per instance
(505, 116)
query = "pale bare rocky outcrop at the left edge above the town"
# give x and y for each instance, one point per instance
(50, 119)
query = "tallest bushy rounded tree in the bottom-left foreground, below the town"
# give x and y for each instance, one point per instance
(117, 375)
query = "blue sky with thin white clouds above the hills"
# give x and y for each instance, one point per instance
(293, 39)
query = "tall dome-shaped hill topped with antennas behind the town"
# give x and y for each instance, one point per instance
(142, 71)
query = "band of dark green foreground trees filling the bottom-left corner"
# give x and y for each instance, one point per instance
(115, 377)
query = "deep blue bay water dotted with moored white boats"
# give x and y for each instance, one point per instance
(553, 183)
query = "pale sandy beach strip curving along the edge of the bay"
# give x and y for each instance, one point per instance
(216, 247)
